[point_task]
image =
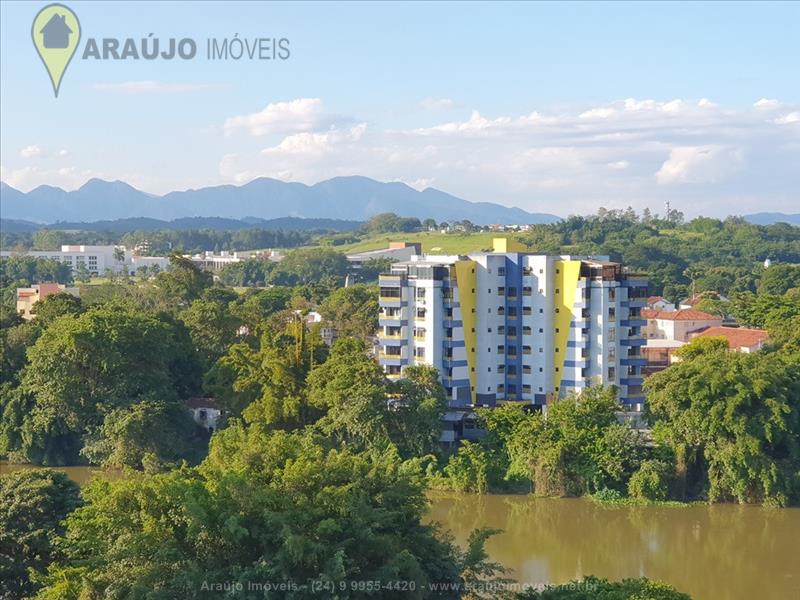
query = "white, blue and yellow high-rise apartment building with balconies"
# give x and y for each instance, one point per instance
(508, 325)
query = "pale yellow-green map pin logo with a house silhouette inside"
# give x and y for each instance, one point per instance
(56, 33)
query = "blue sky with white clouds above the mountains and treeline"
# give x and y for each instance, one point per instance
(552, 107)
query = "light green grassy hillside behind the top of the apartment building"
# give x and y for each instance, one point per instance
(432, 242)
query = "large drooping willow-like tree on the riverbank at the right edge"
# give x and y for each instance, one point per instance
(733, 421)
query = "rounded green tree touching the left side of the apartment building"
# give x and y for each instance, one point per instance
(352, 311)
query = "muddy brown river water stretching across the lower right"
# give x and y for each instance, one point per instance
(720, 552)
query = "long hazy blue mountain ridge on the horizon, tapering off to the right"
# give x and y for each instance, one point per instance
(344, 198)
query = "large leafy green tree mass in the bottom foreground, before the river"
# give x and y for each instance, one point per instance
(265, 506)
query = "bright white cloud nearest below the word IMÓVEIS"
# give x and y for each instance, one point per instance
(302, 114)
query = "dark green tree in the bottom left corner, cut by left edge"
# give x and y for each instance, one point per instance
(33, 503)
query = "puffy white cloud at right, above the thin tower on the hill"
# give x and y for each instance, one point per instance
(698, 164)
